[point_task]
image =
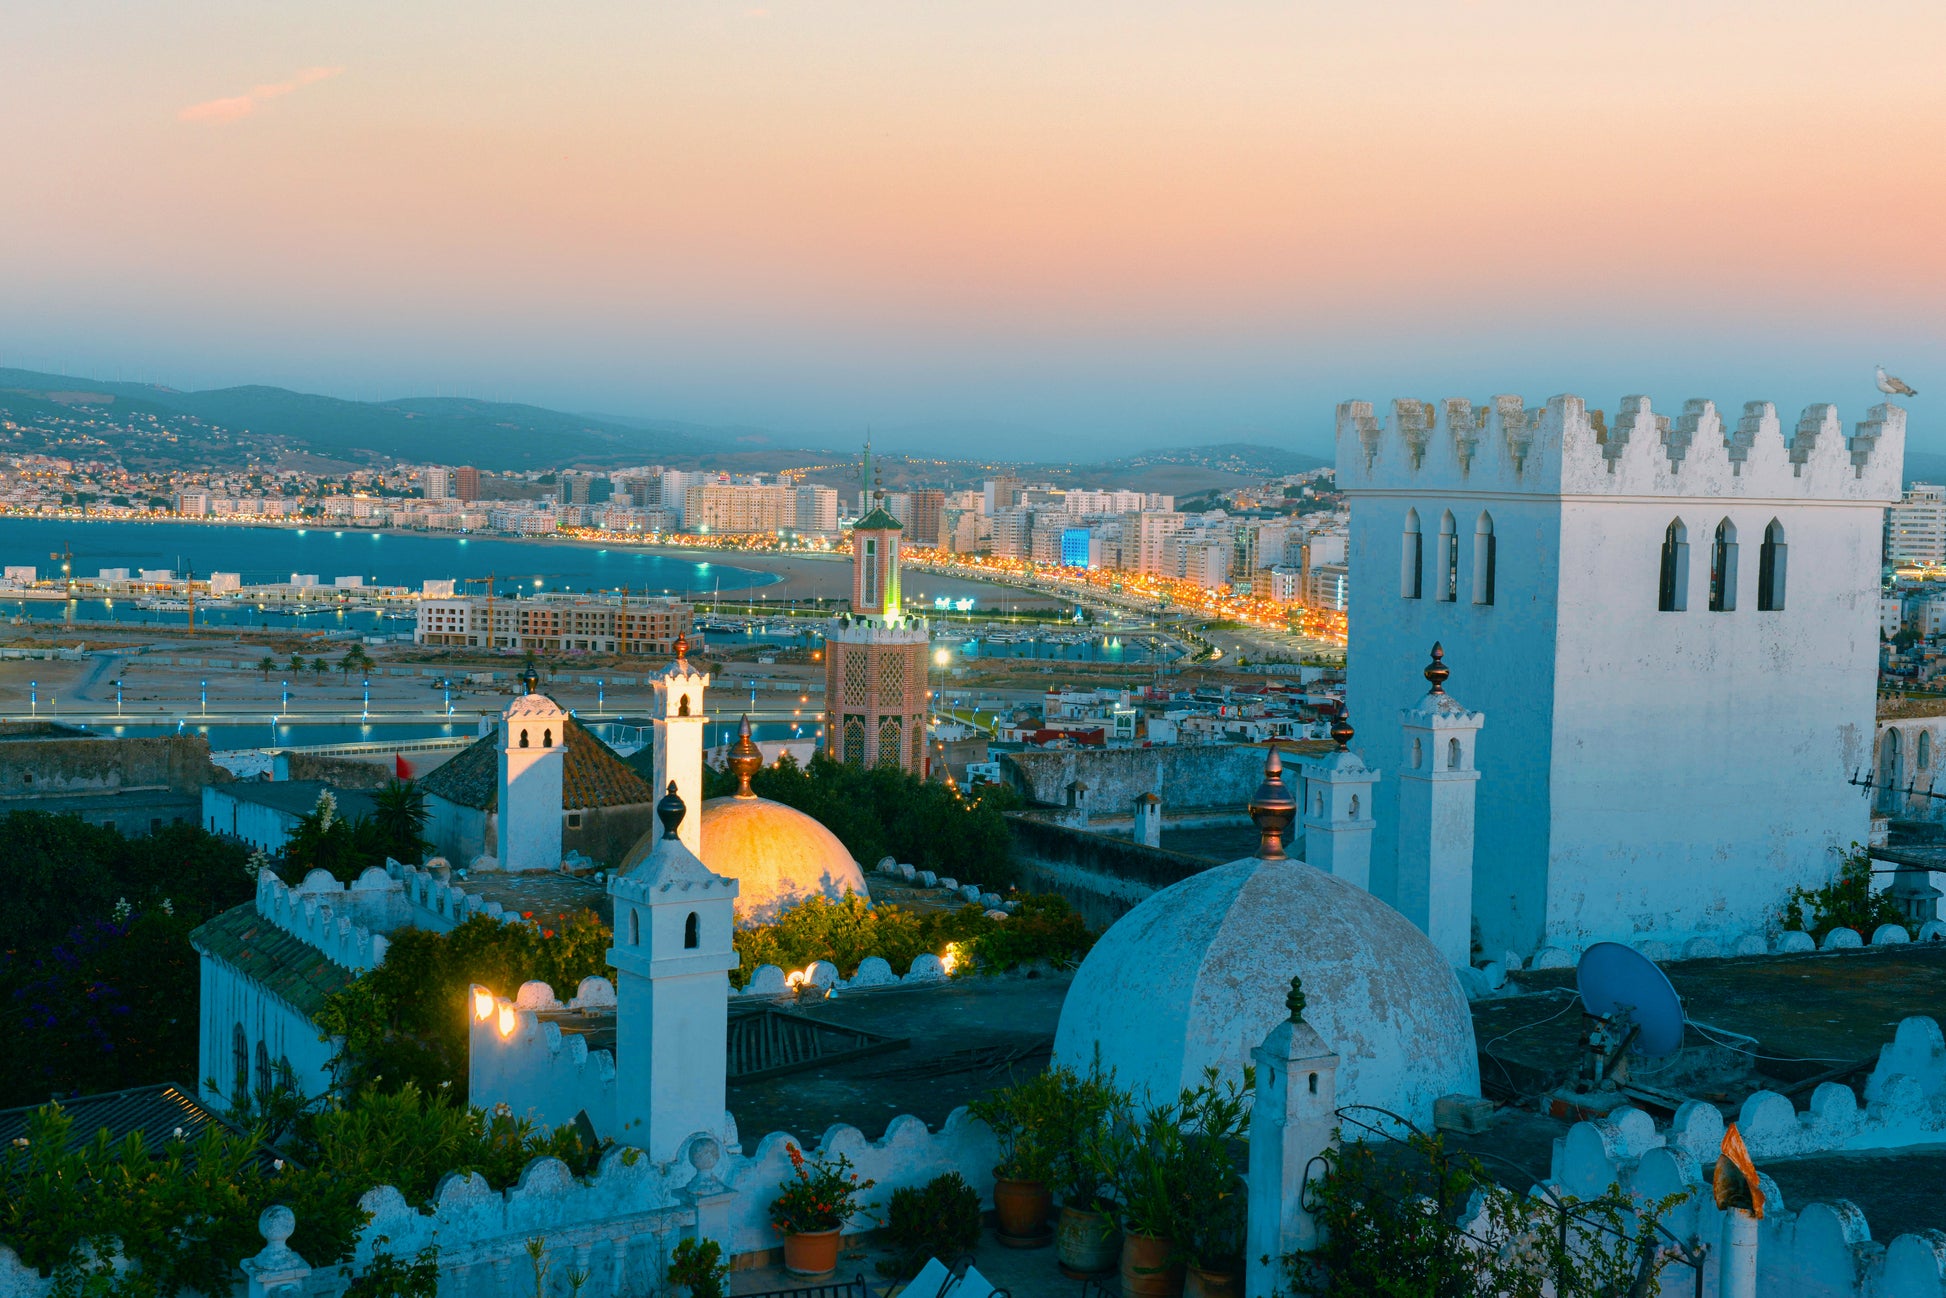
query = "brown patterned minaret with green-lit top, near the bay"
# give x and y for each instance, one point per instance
(877, 663)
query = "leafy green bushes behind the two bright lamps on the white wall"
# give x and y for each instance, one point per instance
(406, 1023)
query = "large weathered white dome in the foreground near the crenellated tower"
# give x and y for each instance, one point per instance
(1198, 974)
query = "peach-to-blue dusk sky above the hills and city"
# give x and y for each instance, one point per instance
(982, 225)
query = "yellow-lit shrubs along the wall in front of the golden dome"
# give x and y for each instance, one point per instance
(847, 931)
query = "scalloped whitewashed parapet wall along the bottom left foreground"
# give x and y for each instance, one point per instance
(622, 1223)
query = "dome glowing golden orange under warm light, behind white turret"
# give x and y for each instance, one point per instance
(777, 855)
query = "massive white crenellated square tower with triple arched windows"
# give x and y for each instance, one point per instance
(1678, 630)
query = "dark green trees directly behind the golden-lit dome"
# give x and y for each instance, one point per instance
(881, 814)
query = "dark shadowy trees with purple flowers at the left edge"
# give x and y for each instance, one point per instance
(98, 982)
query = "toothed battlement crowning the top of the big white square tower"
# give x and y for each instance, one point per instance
(1571, 451)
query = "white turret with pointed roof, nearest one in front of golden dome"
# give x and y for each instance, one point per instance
(672, 962)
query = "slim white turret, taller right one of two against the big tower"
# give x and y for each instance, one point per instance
(1437, 787)
